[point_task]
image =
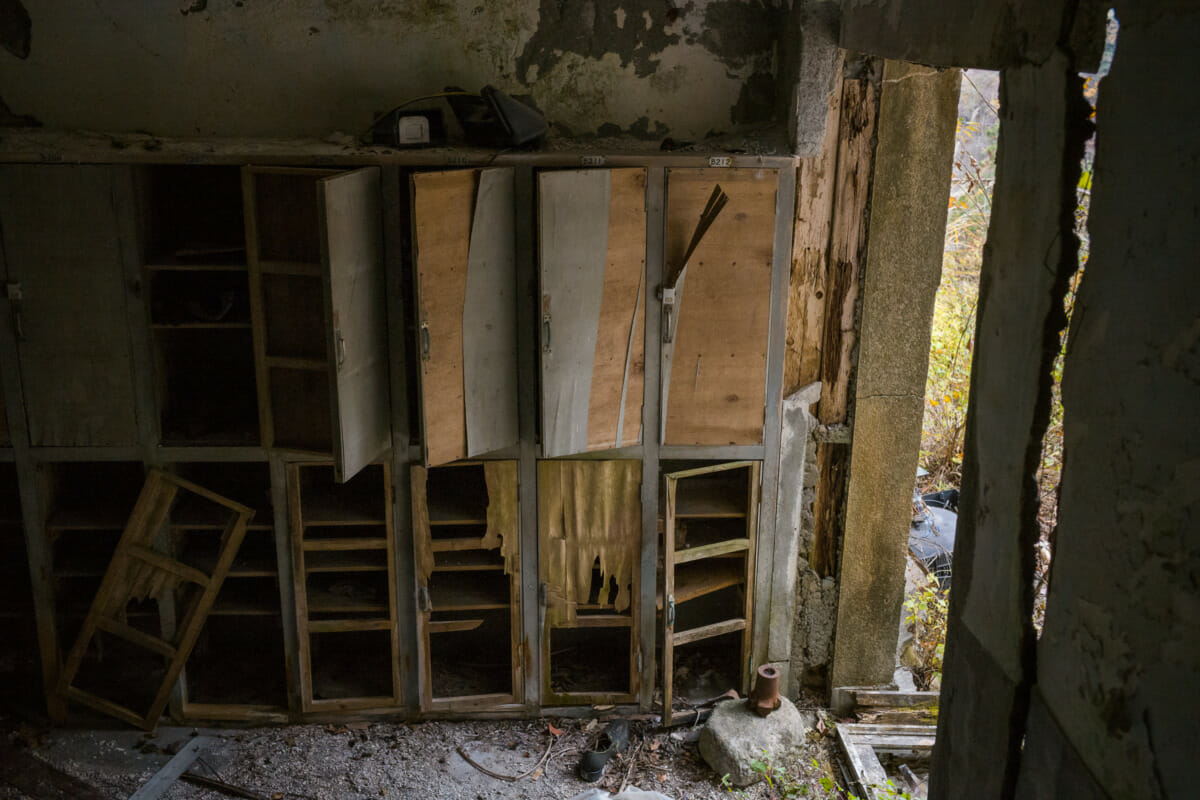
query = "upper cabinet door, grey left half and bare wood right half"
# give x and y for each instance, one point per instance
(592, 254)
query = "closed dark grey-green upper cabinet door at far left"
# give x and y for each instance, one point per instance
(63, 246)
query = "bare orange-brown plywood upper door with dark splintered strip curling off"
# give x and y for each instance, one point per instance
(715, 350)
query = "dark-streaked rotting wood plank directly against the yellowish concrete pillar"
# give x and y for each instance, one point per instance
(848, 252)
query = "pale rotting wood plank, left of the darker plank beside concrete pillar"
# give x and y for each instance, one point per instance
(811, 257)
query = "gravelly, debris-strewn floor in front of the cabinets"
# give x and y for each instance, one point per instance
(386, 760)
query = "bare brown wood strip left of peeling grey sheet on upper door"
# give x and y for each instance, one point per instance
(443, 207)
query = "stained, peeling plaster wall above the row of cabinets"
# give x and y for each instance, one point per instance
(309, 68)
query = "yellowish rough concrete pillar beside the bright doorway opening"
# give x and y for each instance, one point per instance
(919, 112)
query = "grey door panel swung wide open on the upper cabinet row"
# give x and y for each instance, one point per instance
(351, 215)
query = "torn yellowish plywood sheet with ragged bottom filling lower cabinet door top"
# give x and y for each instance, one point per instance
(587, 510)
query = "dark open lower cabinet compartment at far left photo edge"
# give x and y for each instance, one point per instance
(20, 667)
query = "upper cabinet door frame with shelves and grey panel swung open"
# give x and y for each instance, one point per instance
(315, 246)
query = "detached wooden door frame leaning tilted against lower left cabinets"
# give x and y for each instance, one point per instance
(136, 573)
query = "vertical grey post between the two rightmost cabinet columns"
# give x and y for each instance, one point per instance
(656, 233)
